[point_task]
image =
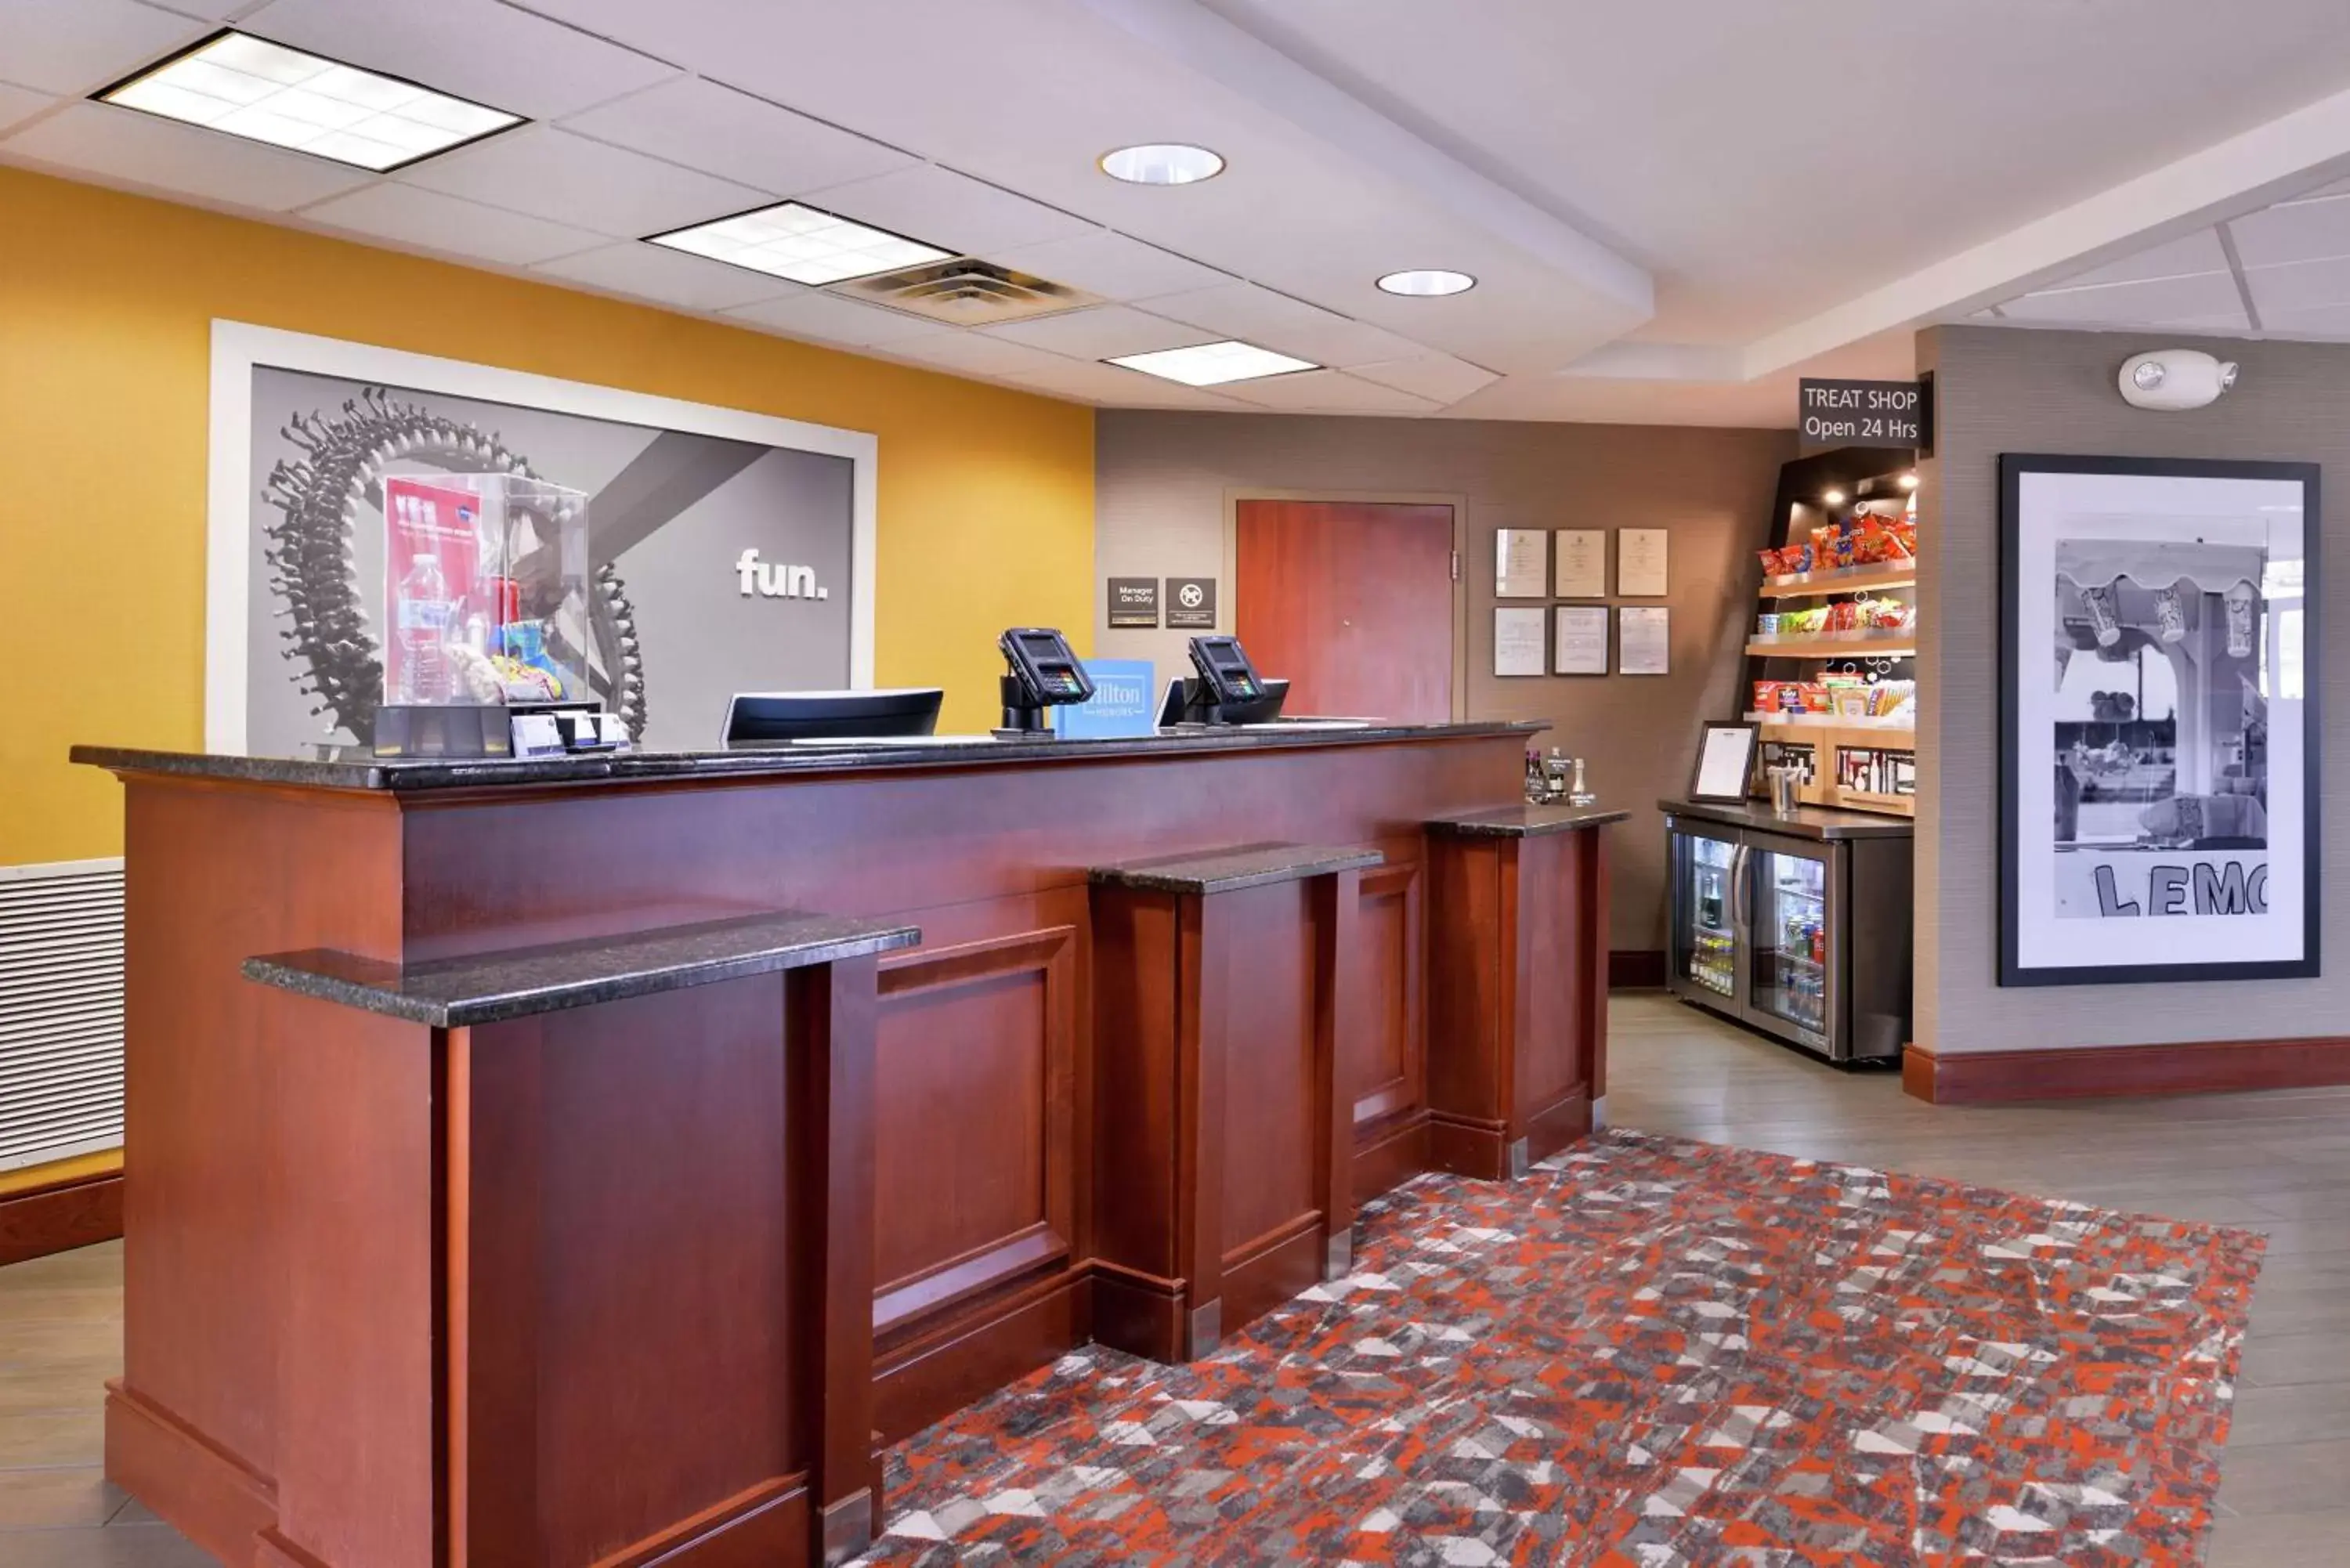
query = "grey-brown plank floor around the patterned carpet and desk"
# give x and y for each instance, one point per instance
(2276, 1162)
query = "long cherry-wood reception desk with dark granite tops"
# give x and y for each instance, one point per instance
(603, 1160)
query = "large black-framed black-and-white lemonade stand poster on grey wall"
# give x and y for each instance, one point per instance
(2158, 770)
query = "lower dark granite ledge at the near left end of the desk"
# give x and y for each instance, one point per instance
(525, 981)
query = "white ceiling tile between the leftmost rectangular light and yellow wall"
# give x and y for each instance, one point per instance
(182, 161)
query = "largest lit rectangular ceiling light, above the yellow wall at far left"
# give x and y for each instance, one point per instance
(250, 88)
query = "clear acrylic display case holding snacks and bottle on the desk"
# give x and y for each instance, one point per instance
(485, 608)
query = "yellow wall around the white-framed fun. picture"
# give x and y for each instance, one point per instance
(105, 370)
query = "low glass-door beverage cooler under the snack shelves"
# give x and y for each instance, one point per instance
(1799, 927)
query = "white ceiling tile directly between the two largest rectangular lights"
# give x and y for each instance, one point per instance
(572, 180)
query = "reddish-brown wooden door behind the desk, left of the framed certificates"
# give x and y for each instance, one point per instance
(1350, 601)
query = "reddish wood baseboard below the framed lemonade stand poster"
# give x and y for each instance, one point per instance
(2083, 1073)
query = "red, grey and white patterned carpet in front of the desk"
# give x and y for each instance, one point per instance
(1644, 1355)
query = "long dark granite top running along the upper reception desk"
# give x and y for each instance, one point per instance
(363, 772)
